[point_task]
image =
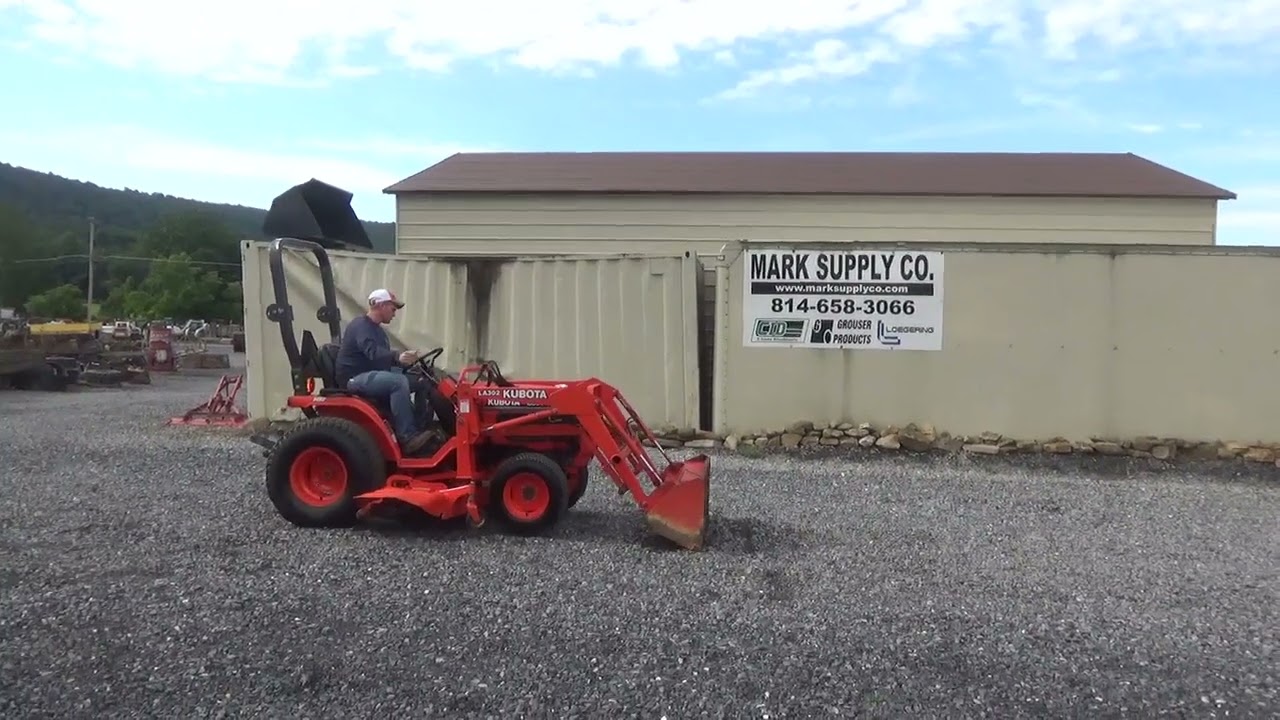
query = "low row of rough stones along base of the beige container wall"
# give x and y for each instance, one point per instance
(926, 439)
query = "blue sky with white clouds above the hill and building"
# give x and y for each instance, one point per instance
(235, 102)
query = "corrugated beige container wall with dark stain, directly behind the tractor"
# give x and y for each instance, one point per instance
(627, 321)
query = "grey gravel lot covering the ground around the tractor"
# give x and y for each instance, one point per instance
(144, 573)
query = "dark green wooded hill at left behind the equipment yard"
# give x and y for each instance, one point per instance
(156, 256)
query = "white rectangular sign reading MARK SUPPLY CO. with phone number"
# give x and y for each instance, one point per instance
(843, 300)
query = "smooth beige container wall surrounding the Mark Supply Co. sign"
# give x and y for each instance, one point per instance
(1043, 341)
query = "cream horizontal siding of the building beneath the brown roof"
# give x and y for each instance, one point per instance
(513, 224)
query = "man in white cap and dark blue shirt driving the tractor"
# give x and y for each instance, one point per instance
(368, 366)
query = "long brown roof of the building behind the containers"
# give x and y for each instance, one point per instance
(1096, 175)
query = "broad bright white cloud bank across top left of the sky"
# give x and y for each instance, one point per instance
(264, 40)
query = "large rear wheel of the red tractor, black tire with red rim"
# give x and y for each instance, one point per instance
(316, 472)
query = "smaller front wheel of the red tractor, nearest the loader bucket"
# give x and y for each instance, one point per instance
(529, 493)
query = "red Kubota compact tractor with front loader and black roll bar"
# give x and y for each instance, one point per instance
(518, 450)
